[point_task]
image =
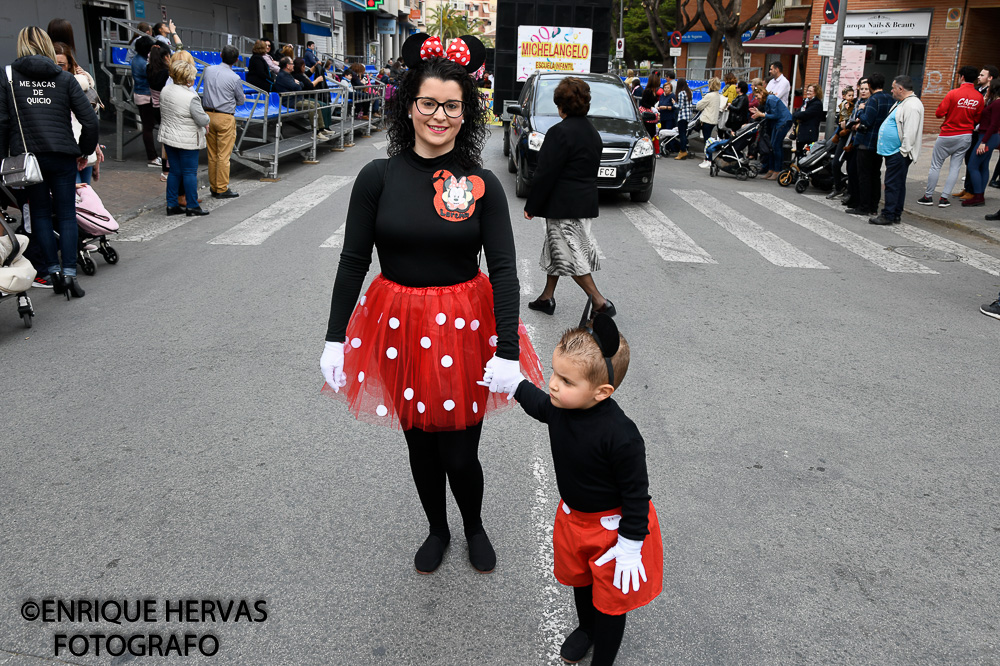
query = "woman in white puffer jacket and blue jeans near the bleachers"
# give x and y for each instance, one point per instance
(182, 132)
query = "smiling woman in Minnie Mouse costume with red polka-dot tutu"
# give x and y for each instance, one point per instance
(410, 354)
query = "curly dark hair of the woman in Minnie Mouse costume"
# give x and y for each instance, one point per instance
(474, 132)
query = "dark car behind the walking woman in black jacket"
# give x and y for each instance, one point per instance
(627, 163)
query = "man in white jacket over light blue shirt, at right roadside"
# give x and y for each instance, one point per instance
(899, 144)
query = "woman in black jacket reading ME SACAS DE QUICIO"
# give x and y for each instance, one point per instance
(33, 124)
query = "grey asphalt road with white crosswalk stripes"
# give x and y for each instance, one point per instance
(819, 411)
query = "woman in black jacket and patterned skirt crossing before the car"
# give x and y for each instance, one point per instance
(564, 191)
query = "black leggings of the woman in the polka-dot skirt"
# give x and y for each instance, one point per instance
(455, 455)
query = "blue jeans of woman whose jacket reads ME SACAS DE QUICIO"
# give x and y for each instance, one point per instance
(55, 197)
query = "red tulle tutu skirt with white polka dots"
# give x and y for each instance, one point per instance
(413, 355)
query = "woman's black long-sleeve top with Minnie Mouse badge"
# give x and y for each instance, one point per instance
(395, 209)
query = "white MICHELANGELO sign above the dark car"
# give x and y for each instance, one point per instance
(553, 49)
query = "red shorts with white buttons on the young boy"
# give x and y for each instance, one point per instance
(581, 538)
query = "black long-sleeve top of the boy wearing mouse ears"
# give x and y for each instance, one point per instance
(599, 457)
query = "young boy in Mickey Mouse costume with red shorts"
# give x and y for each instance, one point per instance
(605, 512)
